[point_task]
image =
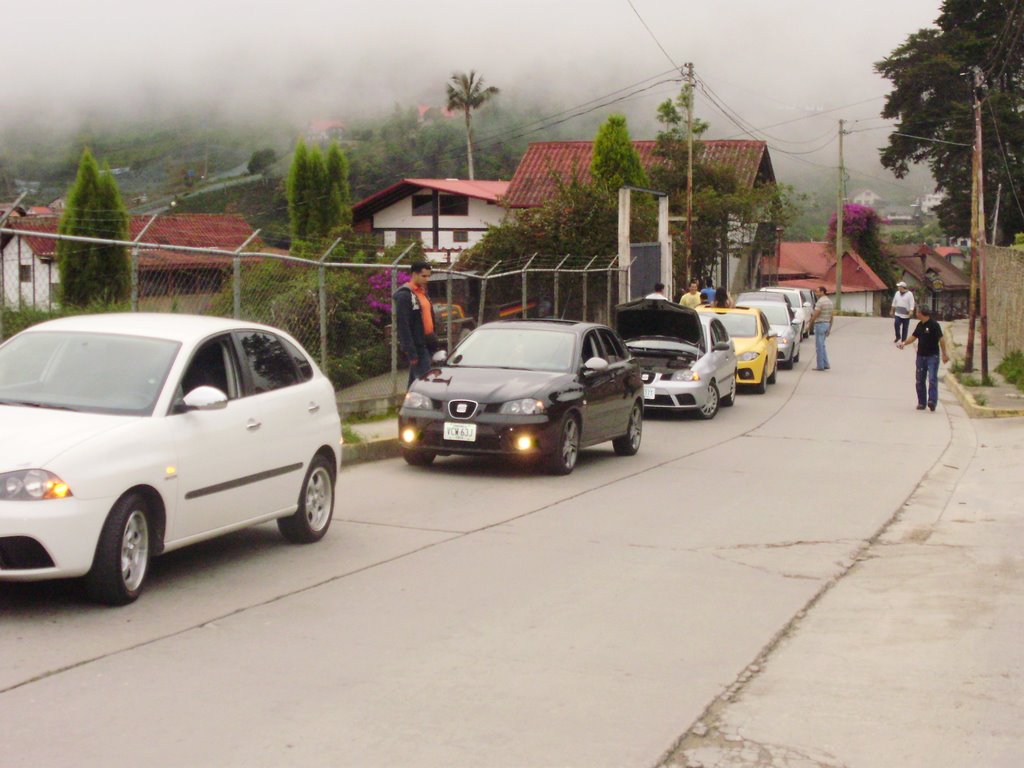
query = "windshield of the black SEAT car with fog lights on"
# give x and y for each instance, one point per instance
(521, 349)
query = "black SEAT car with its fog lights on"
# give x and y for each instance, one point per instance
(541, 390)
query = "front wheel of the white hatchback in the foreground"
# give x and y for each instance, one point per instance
(122, 560)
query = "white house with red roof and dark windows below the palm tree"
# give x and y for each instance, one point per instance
(446, 216)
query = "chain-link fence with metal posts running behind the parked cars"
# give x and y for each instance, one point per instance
(342, 313)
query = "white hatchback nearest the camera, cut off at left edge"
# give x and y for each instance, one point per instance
(130, 436)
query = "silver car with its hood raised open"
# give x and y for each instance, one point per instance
(688, 360)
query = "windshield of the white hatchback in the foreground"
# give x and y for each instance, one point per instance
(96, 373)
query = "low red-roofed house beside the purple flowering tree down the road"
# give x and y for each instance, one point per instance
(814, 265)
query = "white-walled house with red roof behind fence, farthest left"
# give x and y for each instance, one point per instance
(30, 276)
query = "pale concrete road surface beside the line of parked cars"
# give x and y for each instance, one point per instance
(478, 615)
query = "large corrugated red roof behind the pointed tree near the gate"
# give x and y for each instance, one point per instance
(533, 183)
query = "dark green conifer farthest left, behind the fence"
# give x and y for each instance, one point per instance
(92, 273)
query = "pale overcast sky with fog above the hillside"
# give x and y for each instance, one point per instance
(803, 63)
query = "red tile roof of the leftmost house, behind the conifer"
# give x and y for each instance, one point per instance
(225, 232)
